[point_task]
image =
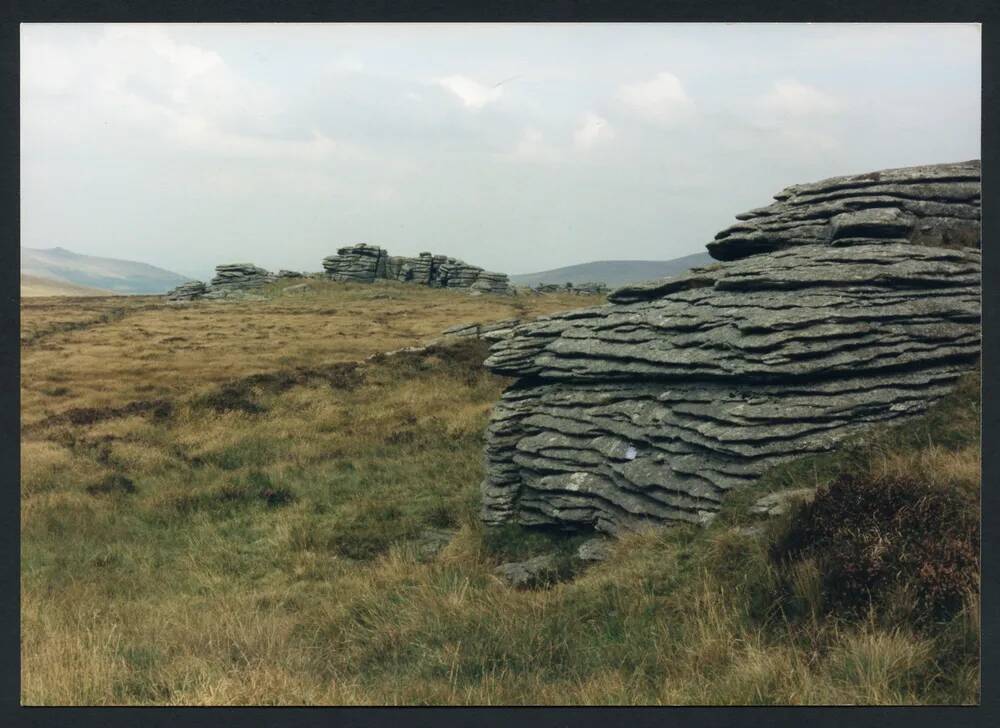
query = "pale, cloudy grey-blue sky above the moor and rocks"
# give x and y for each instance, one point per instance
(516, 147)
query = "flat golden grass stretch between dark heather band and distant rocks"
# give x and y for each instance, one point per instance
(152, 349)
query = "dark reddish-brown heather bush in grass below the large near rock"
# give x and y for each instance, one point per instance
(888, 545)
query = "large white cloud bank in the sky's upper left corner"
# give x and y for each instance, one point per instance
(138, 85)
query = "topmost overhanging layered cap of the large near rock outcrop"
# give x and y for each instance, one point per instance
(937, 205)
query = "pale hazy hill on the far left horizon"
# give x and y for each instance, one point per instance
(107, 274)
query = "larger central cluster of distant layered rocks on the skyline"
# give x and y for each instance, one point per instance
(367, 263)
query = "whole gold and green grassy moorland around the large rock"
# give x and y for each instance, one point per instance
(274, 557)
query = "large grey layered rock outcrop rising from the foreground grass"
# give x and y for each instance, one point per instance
(649, 409)
